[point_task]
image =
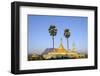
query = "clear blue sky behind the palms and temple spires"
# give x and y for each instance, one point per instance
(39, 38)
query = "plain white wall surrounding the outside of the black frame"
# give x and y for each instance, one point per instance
(5, 35)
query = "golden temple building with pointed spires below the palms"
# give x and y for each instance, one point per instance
(60, 52)
